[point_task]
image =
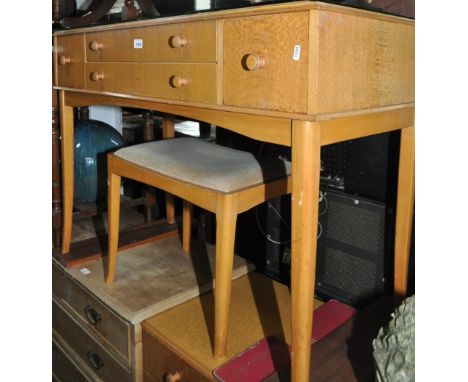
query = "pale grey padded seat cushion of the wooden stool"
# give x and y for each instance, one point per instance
(205, 164)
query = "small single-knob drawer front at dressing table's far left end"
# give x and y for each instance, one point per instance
(69, 61)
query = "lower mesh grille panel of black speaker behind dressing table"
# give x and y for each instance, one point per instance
(350, 273)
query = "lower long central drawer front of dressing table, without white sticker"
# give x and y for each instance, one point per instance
(181, 82)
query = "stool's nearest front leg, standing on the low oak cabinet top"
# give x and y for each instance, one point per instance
(226, 216)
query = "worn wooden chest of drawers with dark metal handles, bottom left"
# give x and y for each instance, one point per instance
(97, 328)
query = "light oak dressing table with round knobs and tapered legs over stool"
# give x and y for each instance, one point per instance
(301, 74)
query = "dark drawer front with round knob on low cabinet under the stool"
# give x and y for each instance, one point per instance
(160, 363)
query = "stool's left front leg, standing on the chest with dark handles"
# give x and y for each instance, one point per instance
(113, 214)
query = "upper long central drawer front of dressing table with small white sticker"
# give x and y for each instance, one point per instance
(185, 42)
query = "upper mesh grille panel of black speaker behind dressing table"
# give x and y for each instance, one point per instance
(354, 226)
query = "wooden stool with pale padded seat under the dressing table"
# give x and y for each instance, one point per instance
(217, 178)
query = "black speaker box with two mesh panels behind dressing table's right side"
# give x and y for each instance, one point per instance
(353, 248)
